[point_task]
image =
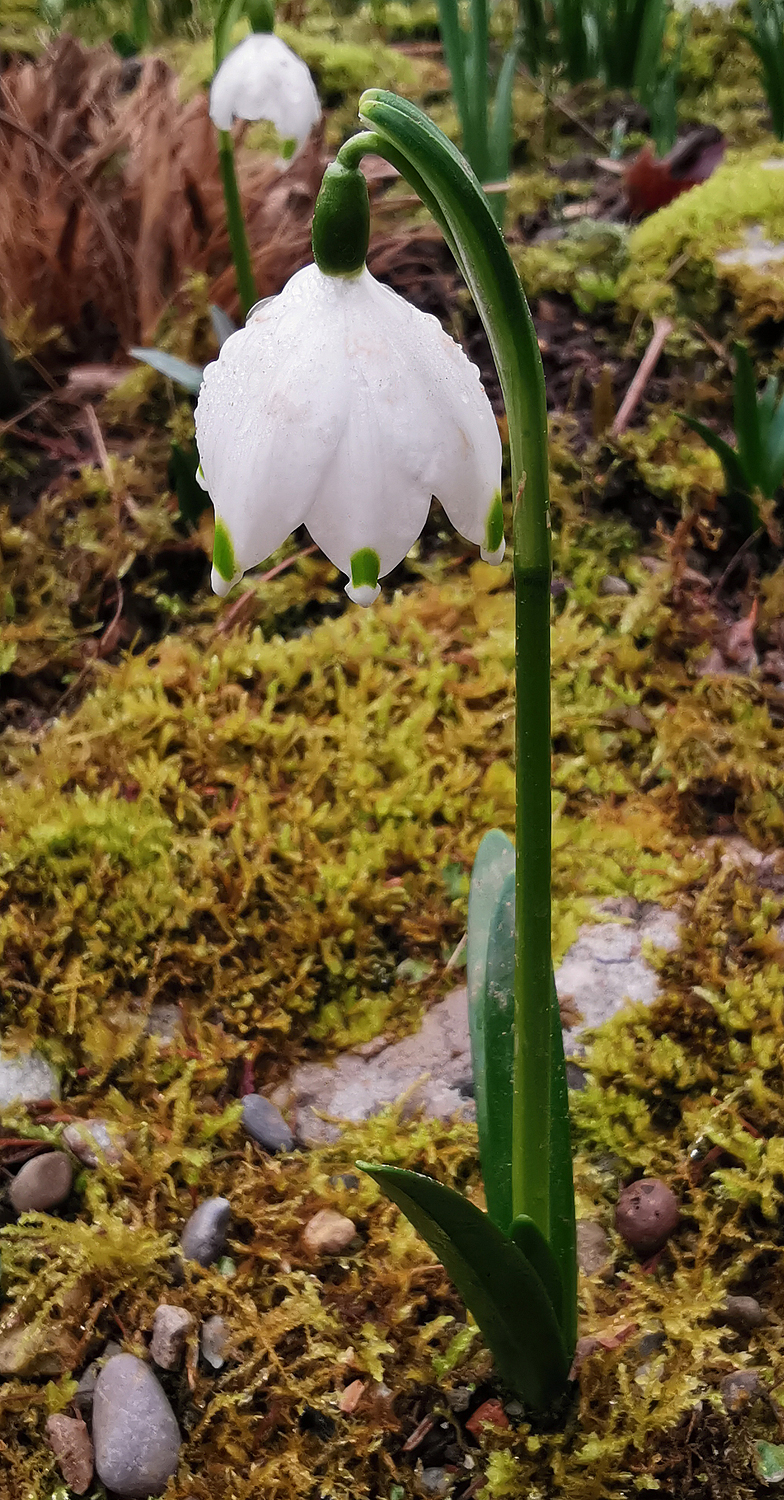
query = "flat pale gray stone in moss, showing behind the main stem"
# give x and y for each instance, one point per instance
(603, 971)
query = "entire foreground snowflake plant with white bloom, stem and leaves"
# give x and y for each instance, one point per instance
(341, 407)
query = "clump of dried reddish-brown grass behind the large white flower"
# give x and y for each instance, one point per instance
(110, 196)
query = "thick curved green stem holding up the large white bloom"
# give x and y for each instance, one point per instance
(440, 175)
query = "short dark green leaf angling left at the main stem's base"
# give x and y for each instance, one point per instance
(495, 1280)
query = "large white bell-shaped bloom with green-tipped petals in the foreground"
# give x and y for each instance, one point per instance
(344, 407)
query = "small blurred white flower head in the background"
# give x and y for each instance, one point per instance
(265, 80)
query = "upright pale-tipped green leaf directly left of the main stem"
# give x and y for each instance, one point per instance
(492, 1052)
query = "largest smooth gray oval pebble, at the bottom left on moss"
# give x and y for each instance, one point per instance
(136, 1435)
